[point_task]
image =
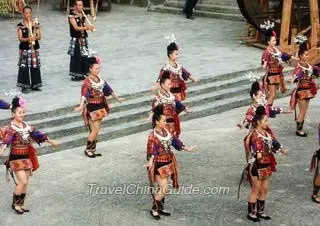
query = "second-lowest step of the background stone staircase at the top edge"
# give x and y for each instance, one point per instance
(206, 7)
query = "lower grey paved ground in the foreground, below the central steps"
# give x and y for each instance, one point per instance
(59, 191)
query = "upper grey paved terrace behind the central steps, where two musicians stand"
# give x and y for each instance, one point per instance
(131, 44)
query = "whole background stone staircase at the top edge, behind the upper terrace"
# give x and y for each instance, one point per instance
(218, 9)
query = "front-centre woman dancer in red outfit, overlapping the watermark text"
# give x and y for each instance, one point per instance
(162, 161)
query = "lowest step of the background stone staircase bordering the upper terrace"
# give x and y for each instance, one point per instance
(216, 15)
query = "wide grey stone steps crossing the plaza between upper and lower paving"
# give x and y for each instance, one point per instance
(210, 96)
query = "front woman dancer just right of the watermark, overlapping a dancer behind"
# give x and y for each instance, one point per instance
(260, 147)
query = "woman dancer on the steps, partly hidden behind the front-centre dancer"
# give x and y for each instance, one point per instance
(172, 107)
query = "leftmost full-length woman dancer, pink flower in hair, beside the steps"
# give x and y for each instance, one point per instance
(23, 158)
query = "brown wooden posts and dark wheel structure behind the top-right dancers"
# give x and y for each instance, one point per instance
(292, 17)
